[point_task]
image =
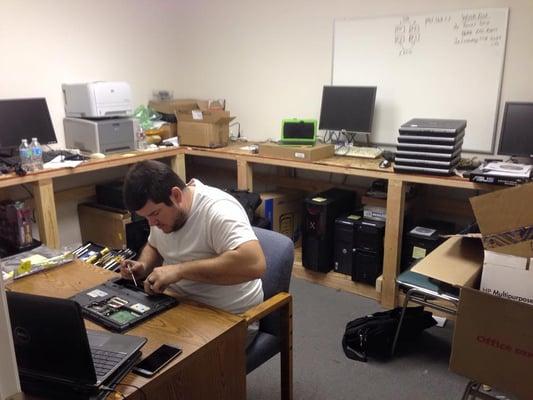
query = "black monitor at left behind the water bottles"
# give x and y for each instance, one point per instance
(25, 119)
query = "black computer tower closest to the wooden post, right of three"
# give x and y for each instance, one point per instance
(368, 263)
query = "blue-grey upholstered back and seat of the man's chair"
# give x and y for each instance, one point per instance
(279, 254)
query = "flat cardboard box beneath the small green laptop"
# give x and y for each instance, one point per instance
(298, 153)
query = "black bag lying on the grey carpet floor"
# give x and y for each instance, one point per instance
(373, 334)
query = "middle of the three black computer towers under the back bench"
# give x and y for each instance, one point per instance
(344, 247)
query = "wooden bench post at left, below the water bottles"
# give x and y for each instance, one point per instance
(45, 208)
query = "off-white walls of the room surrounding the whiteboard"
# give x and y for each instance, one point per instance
(269, 59)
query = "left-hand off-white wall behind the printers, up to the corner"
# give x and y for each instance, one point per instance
(46, 43)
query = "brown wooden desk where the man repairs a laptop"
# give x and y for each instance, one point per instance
(212, 365)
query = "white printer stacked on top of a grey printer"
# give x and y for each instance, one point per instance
(97, 99)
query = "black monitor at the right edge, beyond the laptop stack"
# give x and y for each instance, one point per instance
(516, 136)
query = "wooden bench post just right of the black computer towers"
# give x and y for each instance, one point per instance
(393, 242)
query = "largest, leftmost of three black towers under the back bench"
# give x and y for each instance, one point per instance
(319, 216)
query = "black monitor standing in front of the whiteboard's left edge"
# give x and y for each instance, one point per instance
(347, 108)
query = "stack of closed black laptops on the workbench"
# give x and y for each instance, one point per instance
(431, 146)
